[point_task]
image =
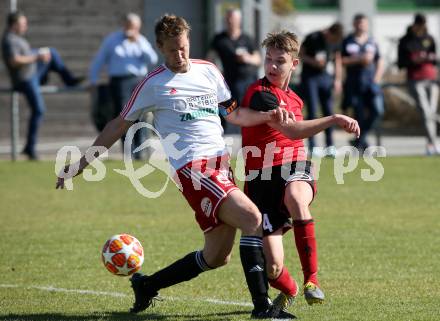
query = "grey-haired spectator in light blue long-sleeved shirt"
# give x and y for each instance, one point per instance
(126, 55)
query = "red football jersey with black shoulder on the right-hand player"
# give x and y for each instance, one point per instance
(275, 148)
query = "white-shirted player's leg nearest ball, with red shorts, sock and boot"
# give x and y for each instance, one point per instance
(218, 239)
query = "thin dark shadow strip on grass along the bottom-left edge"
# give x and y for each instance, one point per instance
(221, 316)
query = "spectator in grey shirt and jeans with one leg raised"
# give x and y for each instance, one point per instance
(29, 68)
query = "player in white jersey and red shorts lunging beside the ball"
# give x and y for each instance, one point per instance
(185, 96)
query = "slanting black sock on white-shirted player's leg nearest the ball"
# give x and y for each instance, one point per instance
(182, 270)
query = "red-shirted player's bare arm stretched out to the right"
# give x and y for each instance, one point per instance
(308, 128)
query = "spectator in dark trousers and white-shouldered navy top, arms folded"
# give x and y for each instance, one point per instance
(364, 70)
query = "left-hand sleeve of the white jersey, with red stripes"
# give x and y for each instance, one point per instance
(141, 101)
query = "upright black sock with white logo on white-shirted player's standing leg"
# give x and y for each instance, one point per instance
(254, 266)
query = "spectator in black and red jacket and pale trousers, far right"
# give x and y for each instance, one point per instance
(417, 54)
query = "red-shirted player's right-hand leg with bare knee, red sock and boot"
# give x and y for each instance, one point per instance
(298, 196)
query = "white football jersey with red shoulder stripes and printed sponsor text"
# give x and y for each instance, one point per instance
(185, 108)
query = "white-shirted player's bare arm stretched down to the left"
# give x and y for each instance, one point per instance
(112, 132)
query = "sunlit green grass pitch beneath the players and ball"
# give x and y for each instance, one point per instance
(378, 243)
